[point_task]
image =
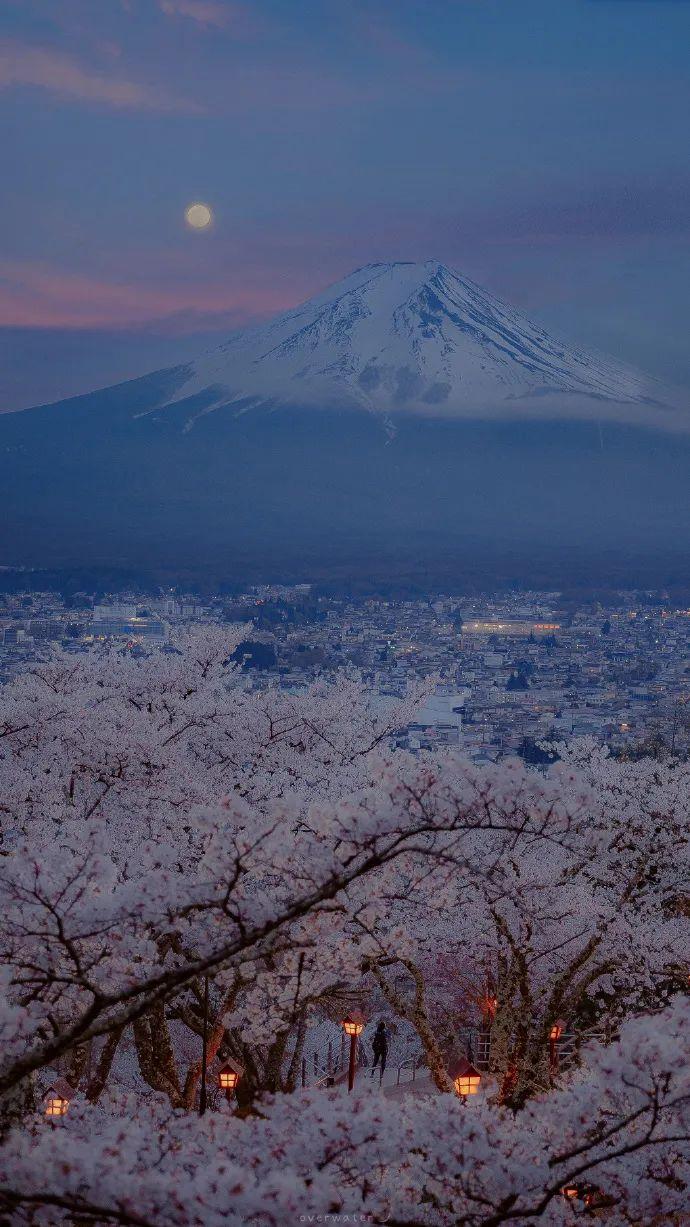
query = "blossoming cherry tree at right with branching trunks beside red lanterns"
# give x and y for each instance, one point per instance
(578, 933)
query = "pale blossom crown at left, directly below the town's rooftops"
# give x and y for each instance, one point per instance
(138, 743)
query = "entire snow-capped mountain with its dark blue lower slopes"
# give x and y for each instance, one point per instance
(402, 424)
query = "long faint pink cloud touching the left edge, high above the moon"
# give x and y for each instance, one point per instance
(47, 69)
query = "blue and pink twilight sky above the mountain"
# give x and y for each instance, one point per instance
(540, 147)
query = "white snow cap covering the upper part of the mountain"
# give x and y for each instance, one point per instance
(416, 338)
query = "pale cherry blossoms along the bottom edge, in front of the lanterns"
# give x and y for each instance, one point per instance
(618, 1138)
